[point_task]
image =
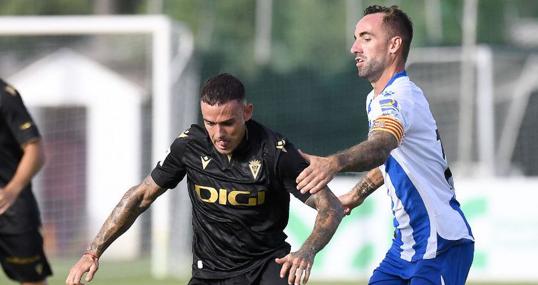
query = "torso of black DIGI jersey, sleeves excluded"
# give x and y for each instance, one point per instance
(239, 211)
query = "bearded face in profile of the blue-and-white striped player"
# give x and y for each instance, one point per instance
(371, 46)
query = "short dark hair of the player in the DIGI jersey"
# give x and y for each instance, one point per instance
(222, 89)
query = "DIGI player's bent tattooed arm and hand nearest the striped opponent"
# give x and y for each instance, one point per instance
(297, 265)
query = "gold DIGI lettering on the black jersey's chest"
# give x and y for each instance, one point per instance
(232, 197)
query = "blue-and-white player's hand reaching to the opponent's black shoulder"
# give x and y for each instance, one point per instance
(316, 176)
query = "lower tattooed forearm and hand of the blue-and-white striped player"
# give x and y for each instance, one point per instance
(366, 186)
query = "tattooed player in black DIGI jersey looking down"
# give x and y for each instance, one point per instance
(240, 175)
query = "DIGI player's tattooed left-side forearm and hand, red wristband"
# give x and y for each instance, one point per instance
(134, 202)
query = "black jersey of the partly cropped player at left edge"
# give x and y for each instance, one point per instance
(16, 129)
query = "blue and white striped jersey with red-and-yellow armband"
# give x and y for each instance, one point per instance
(427, 216)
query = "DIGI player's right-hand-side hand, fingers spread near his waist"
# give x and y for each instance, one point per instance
(296, 266)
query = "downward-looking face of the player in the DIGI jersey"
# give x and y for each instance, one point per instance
(225, 123)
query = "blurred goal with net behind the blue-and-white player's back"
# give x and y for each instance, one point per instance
(487, 129)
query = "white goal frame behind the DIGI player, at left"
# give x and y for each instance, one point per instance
(172, 49)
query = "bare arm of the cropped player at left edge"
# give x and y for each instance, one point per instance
(31, 162)
